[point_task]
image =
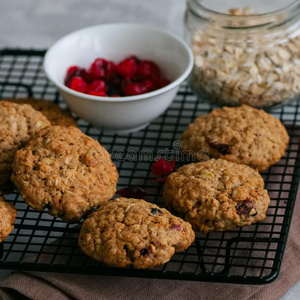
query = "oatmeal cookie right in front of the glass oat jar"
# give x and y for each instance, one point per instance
(239, 134)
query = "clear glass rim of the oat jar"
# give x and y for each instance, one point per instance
(269, 19)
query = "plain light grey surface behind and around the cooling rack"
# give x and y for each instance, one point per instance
(39, 23)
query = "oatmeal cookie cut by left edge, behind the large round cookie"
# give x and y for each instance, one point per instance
(18, 123)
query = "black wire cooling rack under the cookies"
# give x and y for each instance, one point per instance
(252, 254)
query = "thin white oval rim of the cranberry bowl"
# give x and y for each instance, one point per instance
(167, 88)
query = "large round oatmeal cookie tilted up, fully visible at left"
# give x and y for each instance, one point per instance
(65, 170)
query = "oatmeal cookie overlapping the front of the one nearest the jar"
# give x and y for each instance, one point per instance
(217, 195)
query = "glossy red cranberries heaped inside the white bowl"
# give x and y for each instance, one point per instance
(104, 78)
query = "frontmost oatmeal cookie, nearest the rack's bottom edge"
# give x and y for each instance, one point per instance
(133, 232)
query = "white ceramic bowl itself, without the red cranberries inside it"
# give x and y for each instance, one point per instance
(116, 42)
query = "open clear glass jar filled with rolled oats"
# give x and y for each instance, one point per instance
(245, 55)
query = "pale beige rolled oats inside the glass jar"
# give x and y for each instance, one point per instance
(235, 73)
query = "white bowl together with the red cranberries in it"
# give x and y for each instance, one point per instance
(118, 77)
